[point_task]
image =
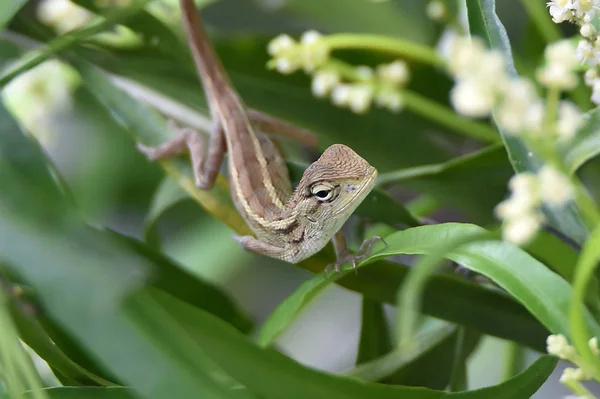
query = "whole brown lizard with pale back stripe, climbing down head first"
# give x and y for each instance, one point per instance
(289, 225)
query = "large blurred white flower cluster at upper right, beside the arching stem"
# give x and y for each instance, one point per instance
(483, 85)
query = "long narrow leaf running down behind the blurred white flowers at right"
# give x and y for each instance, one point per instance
(484, 22)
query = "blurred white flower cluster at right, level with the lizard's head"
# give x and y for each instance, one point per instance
(521, 212)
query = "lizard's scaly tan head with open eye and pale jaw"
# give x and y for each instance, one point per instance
(332, 188)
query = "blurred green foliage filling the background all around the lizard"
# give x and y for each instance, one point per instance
(122, 277)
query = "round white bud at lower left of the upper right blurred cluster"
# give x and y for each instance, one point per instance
(472, 99)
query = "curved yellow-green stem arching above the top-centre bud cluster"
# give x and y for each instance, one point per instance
(395, 46)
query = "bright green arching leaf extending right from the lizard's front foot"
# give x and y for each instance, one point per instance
(545, 294)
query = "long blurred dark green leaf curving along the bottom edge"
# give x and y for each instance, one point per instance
(272, 375)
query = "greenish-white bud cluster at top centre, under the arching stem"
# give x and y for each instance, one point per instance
(356, 88)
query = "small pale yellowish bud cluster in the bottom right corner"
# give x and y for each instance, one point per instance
(558, 346)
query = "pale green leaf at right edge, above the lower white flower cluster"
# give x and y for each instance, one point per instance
(585, 145)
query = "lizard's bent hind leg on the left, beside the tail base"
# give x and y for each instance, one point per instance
(205, 164)
